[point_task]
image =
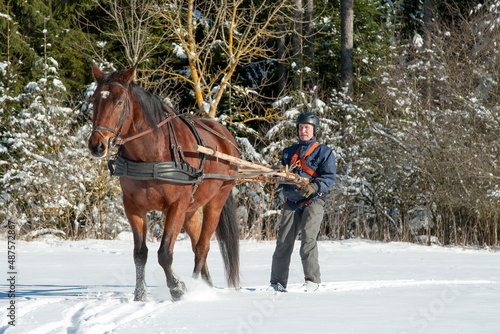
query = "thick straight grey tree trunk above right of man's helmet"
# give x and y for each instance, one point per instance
(346, 41)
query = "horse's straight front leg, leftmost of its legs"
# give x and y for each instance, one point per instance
(139, 229)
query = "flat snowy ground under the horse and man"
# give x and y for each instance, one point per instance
(368, 287)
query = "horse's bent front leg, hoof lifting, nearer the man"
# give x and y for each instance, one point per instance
(173, 225)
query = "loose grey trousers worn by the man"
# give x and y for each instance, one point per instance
(308, 222)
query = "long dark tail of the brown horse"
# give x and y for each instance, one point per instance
(229, 242)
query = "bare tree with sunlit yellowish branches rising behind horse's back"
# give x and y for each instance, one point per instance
(235, 30)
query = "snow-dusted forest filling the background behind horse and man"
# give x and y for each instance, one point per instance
(407, 92)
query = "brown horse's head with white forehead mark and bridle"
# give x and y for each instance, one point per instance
(111, 105)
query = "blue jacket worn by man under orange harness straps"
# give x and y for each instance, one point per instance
(321, 160)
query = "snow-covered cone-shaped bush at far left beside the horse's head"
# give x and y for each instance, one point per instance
(49, 182)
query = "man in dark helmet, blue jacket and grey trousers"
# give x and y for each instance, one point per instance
(304, 206)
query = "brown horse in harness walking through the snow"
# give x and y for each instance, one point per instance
(160, 170)
